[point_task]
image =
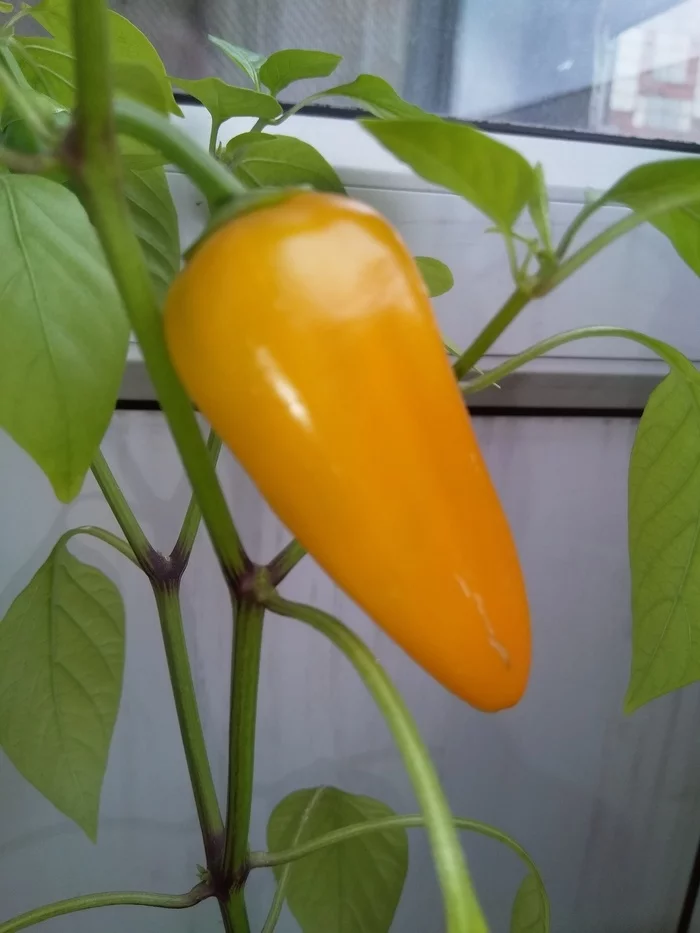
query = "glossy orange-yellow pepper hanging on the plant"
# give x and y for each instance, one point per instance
(304, 333)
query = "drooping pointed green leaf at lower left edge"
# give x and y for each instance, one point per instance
(61, 664)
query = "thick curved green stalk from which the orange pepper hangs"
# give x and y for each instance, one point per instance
(214, 181)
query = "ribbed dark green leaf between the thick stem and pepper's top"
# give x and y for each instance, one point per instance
(155, 222)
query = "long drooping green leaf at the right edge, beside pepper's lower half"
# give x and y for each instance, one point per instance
(664, 541)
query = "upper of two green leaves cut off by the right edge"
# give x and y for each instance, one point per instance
(649, 187)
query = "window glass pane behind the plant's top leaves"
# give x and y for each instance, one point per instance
(624, 67)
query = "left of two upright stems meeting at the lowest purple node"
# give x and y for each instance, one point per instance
(169, 613)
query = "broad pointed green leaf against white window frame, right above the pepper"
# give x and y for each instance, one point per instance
(493, 177)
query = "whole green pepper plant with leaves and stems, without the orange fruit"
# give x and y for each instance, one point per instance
(90, 247)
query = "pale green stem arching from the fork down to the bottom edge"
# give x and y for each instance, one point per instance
(461, 907)
